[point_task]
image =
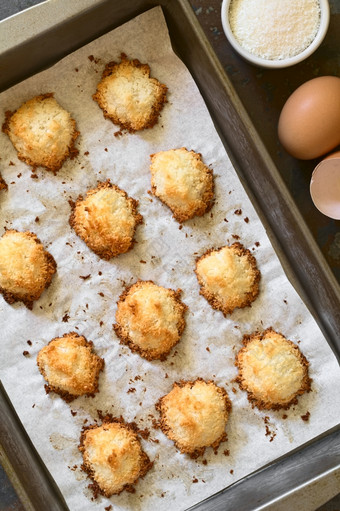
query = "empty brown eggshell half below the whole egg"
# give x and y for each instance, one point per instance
(325, 186)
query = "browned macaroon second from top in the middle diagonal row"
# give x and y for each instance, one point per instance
(106, 219)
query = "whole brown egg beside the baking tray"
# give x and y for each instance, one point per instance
(309, 124)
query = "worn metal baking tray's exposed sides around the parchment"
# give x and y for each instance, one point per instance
(61, 27)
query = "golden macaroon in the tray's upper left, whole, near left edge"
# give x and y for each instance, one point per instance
(42, 132)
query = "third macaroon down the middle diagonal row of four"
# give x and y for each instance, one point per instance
(150, 319)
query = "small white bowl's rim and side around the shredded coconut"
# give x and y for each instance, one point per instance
(278, 63)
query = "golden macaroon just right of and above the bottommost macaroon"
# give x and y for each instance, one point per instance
(194, 415)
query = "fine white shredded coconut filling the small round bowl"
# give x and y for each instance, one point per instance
(274, 29)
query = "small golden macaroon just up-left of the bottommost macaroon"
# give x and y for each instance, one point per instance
(70, 366)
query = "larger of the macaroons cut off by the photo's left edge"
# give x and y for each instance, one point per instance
(26, 268)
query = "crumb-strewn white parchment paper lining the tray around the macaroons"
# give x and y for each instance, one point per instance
(164, 253)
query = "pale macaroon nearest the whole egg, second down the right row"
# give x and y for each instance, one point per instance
(181, 180)
